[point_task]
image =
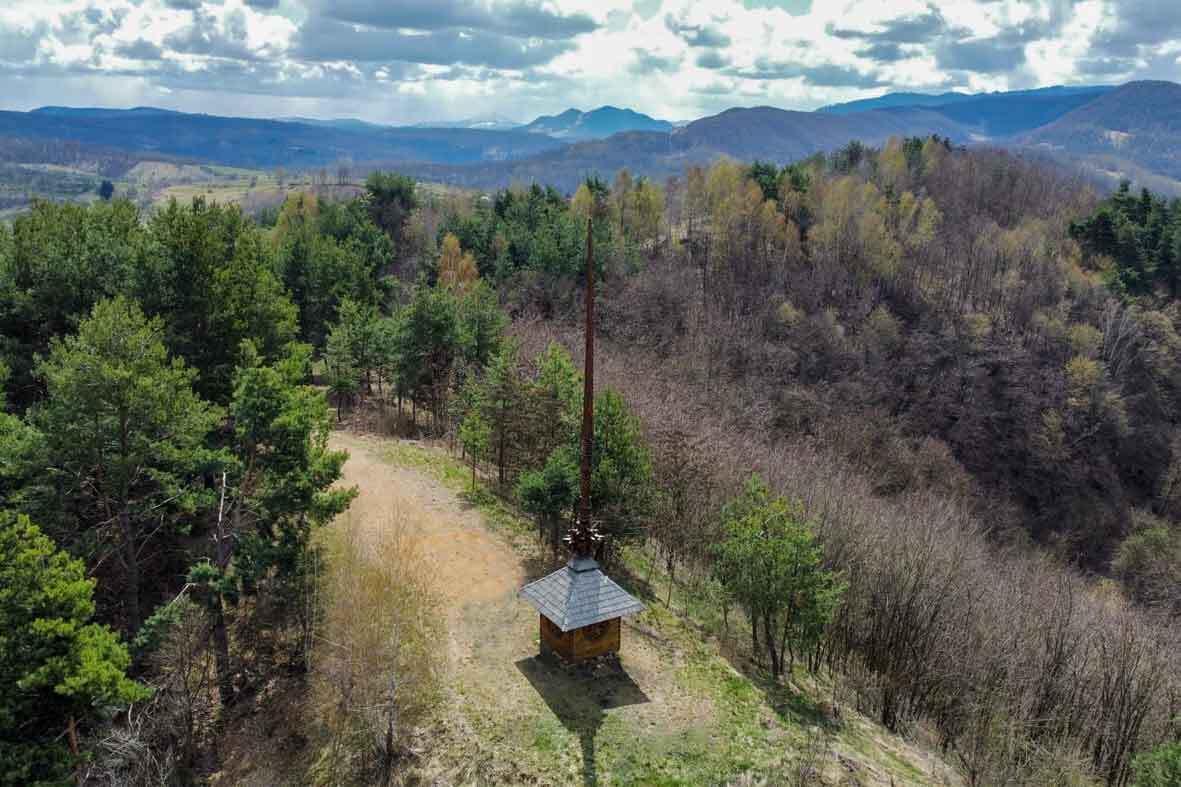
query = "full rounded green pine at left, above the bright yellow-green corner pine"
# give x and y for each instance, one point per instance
(126, 437)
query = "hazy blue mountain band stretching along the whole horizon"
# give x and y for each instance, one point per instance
(1130, 131)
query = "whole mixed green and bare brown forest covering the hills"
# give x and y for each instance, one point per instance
(911, 413)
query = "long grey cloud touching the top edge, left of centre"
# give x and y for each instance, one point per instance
(516, 18)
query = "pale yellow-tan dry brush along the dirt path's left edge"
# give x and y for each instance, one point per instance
(379, 652)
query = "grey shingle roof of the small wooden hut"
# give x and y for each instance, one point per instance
(580, 595)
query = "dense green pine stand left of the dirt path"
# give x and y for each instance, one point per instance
(165, 465)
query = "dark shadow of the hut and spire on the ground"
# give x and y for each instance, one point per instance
(582, 697)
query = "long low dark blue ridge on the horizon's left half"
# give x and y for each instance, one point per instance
(250, 142)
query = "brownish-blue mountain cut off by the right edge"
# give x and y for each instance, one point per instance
(1139, 123)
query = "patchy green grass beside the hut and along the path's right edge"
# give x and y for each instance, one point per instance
(706, 723)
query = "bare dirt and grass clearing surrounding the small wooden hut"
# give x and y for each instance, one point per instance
(675, 713)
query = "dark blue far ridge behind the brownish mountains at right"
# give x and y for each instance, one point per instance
(990, 115)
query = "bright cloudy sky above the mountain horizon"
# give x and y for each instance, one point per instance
(420, 61)
